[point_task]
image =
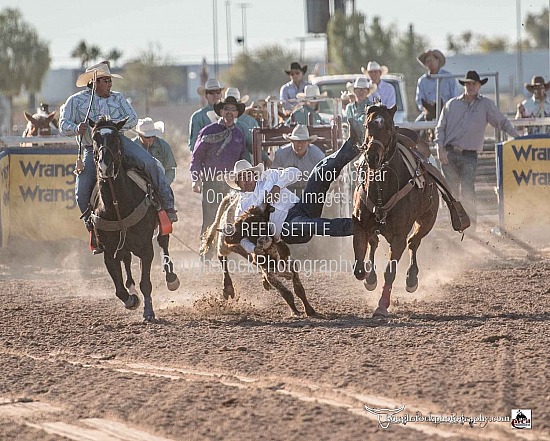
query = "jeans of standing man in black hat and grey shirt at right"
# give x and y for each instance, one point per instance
(461, 176)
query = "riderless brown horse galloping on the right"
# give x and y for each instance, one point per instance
(389, 201)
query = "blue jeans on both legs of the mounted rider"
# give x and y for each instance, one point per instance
(135, 156)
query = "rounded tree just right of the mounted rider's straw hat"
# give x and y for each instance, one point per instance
(149, 77)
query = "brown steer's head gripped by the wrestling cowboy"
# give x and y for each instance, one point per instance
(252, 224)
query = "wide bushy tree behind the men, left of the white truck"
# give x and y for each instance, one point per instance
(261, 71)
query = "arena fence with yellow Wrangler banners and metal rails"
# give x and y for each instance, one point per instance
(37, 180)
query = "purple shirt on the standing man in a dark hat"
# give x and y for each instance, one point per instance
(207, 160)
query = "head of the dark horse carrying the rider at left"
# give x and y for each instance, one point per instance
(108, 147)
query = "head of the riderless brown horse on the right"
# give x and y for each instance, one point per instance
(380, 135)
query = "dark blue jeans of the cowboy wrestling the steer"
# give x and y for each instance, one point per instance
(303, 220)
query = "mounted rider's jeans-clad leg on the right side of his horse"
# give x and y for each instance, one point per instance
(137, 156)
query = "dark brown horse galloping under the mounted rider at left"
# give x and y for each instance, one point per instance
(125, 218)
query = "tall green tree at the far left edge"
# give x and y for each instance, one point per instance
(24, 58)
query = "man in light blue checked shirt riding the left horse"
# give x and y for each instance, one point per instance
(117, 108)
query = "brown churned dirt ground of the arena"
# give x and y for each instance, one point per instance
(472, 341)
